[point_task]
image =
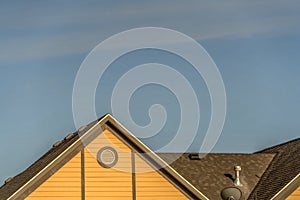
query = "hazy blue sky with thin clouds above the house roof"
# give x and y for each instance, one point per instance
(255, 45)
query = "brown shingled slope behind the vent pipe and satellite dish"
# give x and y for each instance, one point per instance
(214, 172)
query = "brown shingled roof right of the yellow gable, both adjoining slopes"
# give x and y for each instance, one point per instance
(272, 173)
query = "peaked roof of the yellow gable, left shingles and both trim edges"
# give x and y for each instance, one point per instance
(26, 182)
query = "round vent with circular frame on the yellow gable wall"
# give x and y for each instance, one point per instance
(107, 157)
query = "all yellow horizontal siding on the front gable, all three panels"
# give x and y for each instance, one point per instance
(106, 183)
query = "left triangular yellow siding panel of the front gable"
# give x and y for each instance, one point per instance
(65, 184)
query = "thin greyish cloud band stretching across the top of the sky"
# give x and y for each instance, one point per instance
(66, 30)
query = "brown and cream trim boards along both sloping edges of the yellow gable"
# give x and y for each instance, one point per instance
(87, 135)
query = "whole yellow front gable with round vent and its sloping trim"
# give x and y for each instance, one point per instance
(97, 180)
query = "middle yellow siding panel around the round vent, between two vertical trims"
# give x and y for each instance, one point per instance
(108, 183)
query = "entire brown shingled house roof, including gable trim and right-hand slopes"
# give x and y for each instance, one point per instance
(264, 174)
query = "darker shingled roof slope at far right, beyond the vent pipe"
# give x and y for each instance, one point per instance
(284, 167)
